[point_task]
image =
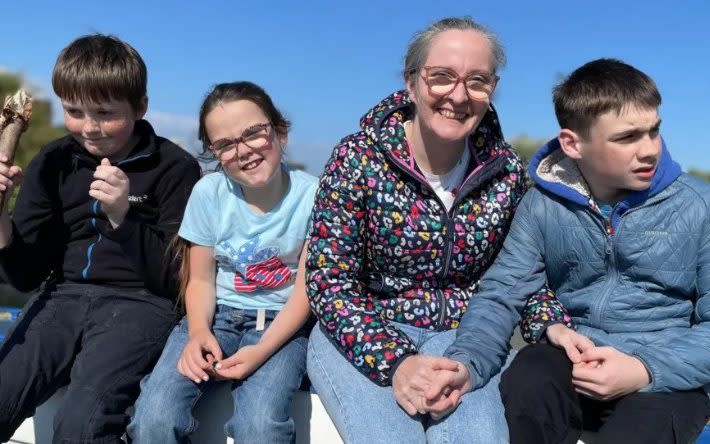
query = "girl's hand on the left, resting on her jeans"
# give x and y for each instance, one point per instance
(198, 355)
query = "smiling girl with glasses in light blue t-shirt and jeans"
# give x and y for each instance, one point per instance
(244, 234)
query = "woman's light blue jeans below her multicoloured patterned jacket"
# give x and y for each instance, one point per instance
(364, 412)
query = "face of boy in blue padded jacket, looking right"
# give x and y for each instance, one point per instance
(621, 153)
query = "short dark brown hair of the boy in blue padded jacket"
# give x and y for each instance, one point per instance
(598, 87)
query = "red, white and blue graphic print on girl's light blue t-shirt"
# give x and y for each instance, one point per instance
(256, 267)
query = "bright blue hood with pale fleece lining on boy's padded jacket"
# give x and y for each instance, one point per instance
(556, 173)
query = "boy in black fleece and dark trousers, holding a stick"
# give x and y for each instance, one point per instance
(92, 225)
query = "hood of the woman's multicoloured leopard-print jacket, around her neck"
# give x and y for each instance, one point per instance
(384, 124)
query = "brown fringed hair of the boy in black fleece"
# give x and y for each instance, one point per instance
(98, 67)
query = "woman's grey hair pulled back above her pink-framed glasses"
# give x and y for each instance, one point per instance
(419, 44)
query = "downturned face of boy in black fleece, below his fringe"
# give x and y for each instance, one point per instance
(104, 129)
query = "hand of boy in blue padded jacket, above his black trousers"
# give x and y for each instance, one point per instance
(614, 374)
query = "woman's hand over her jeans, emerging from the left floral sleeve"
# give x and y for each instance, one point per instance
(414, 377)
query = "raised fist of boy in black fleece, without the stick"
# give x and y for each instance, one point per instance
(111, 189)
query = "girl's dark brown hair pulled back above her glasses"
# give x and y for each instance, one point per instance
(243, 90)
